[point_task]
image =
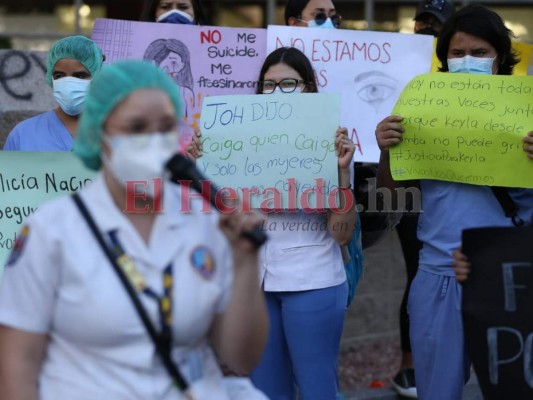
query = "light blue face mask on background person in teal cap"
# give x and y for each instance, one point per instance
(70, 93)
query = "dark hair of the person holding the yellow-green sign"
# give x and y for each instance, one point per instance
(479, 21)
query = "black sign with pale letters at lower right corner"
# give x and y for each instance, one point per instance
(498, 312)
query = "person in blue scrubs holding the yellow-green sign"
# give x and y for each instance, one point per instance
(473, 40)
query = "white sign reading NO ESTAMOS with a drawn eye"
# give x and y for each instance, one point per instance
(368, 69)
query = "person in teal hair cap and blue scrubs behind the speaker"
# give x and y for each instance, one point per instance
(72, 62)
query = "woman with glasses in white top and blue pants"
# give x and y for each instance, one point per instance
(303, 272)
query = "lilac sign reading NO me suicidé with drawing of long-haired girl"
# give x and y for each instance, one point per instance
(203, 60)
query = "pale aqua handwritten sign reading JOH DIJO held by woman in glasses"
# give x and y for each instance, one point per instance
(275, 151)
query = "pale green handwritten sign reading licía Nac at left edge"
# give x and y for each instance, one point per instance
(28, 179)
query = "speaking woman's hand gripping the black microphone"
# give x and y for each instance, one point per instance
(234, 222)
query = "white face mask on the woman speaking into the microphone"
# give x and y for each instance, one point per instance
(140, 157)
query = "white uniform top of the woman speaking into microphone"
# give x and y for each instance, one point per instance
(62, 285)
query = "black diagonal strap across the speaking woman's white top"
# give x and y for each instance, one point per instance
(162, 350)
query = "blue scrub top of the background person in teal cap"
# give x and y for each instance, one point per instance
(44, 132)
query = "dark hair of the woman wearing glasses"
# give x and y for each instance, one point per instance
(295, 59)
